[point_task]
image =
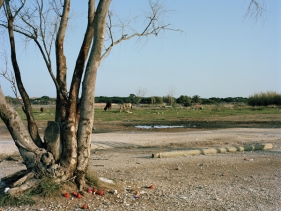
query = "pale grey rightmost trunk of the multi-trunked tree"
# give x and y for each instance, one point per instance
(88, 93)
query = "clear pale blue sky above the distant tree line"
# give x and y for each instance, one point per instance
(219, 53)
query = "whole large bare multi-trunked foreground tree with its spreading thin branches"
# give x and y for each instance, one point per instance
(65, 151)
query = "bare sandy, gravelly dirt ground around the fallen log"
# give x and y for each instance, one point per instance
(248, 180)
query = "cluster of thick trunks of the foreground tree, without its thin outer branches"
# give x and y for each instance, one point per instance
(65, 151)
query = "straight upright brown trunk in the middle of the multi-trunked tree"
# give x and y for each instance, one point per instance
(68, 129)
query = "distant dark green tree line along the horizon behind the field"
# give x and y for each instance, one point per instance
(259, 99)
